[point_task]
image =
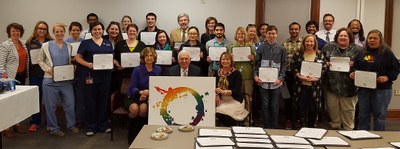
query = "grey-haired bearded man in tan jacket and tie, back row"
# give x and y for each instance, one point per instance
(180, 35)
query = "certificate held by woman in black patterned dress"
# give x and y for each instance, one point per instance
(311, 69)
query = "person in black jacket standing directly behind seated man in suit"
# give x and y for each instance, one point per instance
(194, 43)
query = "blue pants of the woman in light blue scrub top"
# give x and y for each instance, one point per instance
(50, 96)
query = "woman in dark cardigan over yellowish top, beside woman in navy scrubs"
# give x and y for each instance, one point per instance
(130, 45)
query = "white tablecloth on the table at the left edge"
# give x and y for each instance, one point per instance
(16, 106)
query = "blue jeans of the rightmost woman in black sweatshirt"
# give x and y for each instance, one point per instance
(375, 102)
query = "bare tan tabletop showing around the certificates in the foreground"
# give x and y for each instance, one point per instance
(186, 140)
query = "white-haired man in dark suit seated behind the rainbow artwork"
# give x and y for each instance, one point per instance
(184, 68)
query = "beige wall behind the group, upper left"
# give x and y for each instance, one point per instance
(233, 13)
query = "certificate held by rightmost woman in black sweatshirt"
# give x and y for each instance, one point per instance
(365, 79)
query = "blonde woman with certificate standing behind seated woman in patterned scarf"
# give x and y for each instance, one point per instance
(245, 67)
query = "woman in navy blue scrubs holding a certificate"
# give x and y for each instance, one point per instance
(96, 82)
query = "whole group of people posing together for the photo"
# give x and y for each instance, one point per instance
(86, 98)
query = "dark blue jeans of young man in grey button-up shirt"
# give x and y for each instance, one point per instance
(270, 106)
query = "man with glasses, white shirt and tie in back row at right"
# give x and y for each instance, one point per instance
(328, 32)
